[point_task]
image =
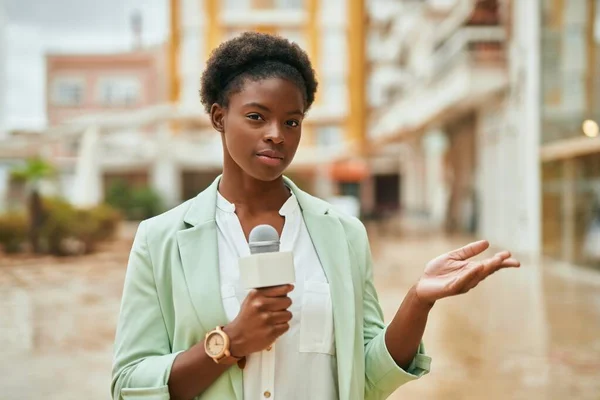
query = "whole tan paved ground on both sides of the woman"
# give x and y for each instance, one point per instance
(532, 333)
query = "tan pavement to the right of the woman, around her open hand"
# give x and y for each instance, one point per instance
(532, 333)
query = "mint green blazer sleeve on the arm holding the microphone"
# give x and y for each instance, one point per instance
(142, 354)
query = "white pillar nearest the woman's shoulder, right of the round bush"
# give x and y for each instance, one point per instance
(165, 176)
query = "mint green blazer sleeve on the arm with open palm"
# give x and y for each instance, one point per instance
(383, 375)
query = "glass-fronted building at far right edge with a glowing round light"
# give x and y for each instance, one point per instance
(570, 86)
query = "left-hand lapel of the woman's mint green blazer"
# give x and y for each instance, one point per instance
(200, 260)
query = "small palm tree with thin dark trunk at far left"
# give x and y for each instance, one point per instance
(32, 174)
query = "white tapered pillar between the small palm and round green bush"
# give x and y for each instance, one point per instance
(88, 186)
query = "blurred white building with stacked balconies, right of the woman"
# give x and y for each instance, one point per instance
(453, 117)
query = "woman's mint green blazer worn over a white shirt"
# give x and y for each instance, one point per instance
(172, 298)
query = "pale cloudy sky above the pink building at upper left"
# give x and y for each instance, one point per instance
(33, 28)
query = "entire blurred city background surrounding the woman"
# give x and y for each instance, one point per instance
(436, 122)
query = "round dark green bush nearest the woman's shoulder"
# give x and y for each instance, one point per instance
(134, 203)
